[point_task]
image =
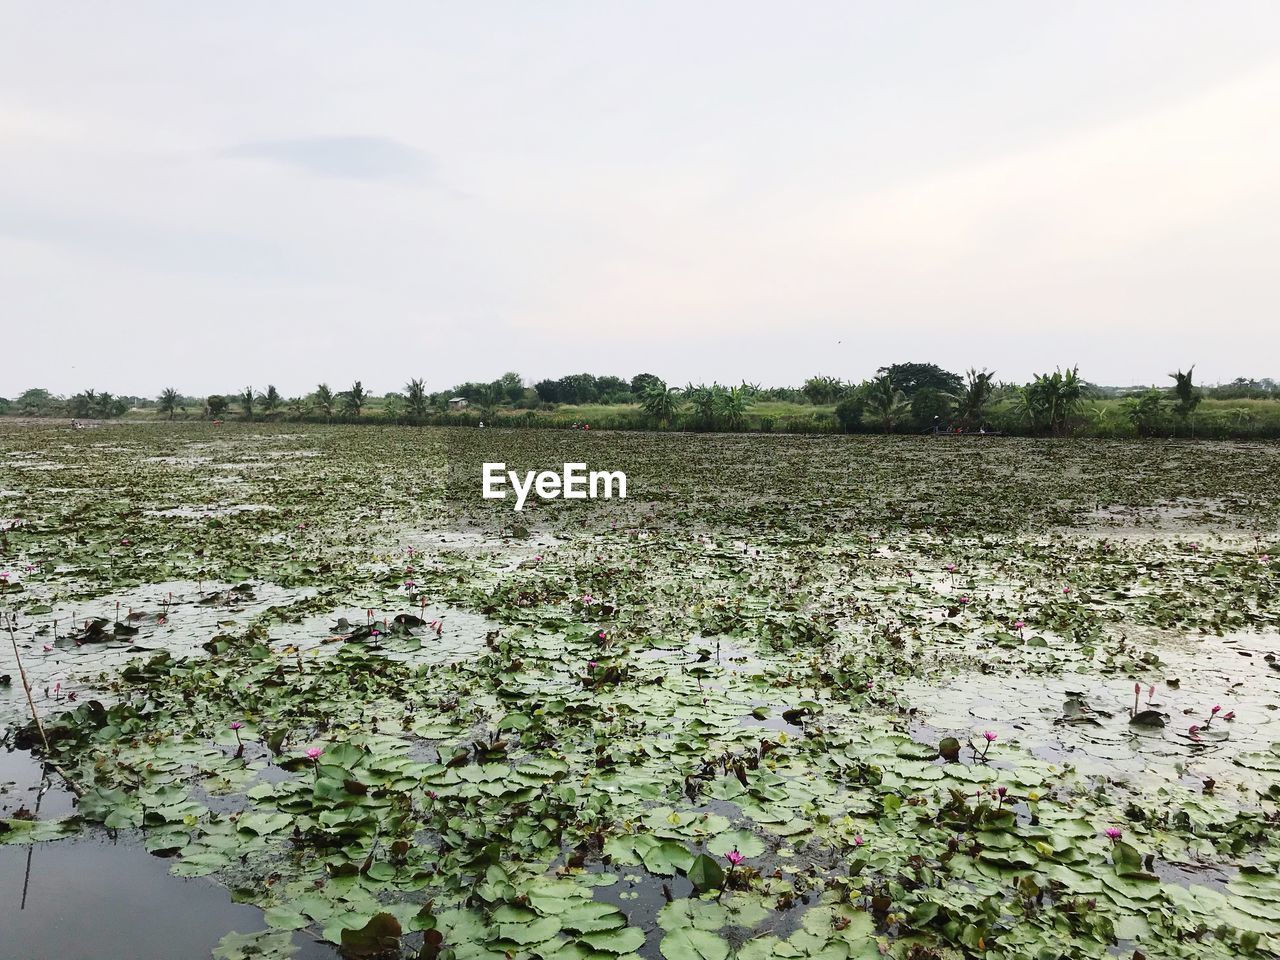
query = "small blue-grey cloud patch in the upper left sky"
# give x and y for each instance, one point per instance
(346, 158)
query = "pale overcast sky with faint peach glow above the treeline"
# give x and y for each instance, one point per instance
(207, 196)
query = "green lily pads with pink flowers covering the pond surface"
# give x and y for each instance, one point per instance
(799, 698)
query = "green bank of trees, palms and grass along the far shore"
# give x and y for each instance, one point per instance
(903, 399)
